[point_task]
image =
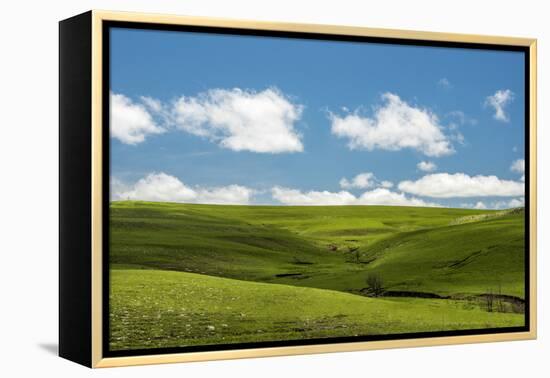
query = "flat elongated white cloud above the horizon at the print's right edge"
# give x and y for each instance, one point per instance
(445, 185)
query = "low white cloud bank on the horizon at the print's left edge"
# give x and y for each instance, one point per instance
(166, 188)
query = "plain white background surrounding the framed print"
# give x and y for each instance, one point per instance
(28, 190)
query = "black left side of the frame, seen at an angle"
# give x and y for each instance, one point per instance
(74, 193)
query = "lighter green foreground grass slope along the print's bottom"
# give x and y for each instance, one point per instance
(153, 309)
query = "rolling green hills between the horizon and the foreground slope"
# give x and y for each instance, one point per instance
(450, 252)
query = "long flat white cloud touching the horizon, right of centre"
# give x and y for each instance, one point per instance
(379, 196)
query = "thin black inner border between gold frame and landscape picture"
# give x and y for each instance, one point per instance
(106, 162)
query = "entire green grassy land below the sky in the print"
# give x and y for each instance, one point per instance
(185, 274)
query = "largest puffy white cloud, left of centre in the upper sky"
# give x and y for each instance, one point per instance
(242, 120)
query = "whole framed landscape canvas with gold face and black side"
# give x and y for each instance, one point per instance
(235, 189)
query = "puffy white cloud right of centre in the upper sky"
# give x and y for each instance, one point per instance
(395, 125)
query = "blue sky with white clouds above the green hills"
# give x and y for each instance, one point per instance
(242, 119)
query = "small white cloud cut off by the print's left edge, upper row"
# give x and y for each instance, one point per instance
(131, 122)
